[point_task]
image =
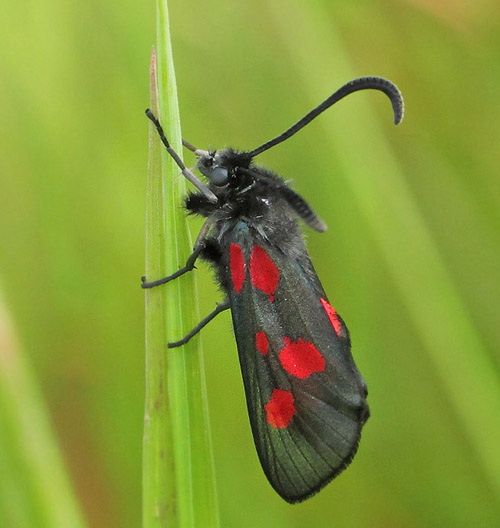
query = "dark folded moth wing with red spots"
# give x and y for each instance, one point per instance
(306, 399)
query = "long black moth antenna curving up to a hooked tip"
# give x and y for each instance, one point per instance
(363, 83)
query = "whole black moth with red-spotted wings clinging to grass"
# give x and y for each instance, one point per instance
(306, 399)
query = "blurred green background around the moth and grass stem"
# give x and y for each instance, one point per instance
(411, 259)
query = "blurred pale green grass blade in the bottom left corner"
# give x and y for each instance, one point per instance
(34, 486)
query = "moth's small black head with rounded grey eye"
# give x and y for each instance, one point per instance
(219, 167)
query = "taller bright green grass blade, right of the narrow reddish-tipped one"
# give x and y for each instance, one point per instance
(192, 496)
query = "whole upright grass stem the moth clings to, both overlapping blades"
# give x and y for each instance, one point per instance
(179, 480)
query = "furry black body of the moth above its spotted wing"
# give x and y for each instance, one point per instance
(253, 195)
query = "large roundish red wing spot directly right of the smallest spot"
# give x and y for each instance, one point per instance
(301, 358)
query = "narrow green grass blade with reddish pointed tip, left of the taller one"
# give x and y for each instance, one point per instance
(158, 476)
